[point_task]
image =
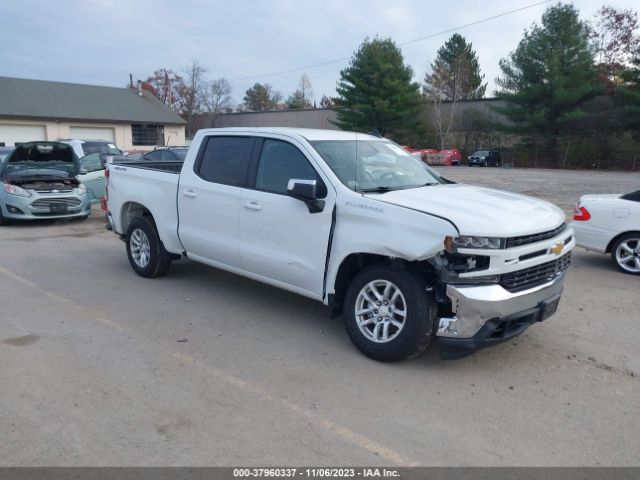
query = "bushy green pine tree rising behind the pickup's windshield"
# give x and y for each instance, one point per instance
(376, 92)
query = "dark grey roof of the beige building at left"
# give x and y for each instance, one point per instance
(27, 98)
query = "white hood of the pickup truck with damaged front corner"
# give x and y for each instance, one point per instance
(478, 210)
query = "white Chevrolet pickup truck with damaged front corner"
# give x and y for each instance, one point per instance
(353, 221)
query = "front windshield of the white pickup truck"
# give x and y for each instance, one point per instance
(369, 165)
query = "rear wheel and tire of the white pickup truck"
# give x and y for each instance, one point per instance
(145, 251)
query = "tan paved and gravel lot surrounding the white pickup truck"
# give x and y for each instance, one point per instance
(202, 367)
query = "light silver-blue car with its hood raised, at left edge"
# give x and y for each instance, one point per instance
(39, 180)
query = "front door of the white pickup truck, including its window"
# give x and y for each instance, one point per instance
(280, 239)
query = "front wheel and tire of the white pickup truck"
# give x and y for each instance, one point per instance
(415, 330)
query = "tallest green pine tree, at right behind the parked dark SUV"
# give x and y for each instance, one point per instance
(549, 77)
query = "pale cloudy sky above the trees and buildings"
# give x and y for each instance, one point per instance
(102, 41)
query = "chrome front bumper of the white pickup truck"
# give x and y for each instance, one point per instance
(474, 306)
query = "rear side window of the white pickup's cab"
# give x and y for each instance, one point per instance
(225, 160)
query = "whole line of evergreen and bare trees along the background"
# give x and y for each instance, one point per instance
(570, 90)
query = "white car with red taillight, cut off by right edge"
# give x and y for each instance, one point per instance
(610, 224)
